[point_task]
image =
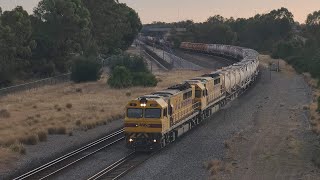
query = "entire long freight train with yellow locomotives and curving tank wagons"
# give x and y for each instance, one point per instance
(152, 121)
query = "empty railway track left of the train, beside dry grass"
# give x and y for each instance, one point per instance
(67, 161)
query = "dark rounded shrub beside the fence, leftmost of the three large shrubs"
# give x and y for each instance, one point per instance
(85, 69)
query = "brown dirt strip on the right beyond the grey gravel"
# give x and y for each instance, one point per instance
(280, 143)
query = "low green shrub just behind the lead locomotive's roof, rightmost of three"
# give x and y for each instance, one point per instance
(145, 79)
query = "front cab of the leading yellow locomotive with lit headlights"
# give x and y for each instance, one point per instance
(145, 119)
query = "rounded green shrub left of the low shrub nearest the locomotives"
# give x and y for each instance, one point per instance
(120, 78)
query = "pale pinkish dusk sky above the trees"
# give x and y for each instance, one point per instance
(198, 10)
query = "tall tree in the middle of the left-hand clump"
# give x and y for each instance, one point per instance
(63, 30)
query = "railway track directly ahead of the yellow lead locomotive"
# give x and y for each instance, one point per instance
(122, 166)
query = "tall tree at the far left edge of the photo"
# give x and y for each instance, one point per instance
(16, 43)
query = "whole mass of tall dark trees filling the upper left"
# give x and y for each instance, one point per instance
(45, 43)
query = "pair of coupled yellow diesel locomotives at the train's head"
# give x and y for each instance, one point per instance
(154, 120)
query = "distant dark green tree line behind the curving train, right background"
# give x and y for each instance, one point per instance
(275, 33)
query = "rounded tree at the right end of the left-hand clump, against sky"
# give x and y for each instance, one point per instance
(115, 25)
